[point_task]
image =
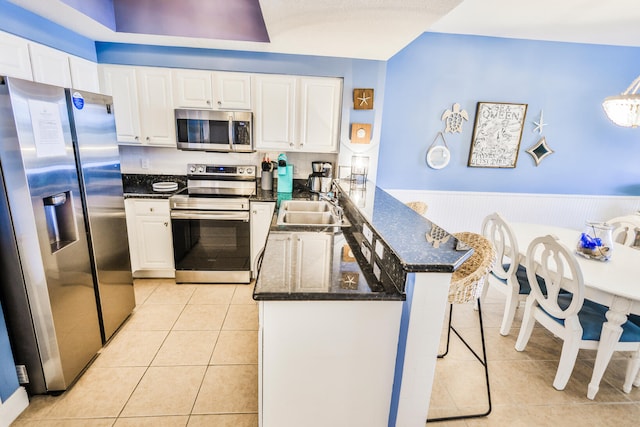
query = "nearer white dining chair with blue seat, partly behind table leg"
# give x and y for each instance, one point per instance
(569, 316)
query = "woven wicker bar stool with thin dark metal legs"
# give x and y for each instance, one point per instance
(466, 286)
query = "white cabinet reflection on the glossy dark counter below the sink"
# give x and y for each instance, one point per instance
(306, 261)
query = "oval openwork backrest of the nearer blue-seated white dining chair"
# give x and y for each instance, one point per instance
(557, 266)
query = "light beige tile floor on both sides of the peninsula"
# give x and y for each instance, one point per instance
(188, 357)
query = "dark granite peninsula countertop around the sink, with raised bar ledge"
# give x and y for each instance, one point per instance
(385, 240)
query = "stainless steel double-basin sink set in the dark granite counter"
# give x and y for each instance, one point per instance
(318, 213)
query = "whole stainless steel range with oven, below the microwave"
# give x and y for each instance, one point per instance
(210, 224)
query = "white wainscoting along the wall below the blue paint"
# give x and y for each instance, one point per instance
(464, 211)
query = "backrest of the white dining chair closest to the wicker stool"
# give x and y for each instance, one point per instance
(504, 242)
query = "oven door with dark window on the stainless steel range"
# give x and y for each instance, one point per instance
(211, 246)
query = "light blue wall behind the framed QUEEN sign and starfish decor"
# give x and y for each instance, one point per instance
(568, 81)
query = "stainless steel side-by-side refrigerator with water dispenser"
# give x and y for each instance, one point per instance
(66, 279)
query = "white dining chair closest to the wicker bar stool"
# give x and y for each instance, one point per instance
(509, 275)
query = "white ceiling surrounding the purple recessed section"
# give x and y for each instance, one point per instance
(378, 29)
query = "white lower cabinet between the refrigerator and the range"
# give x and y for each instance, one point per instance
(150, 239)
